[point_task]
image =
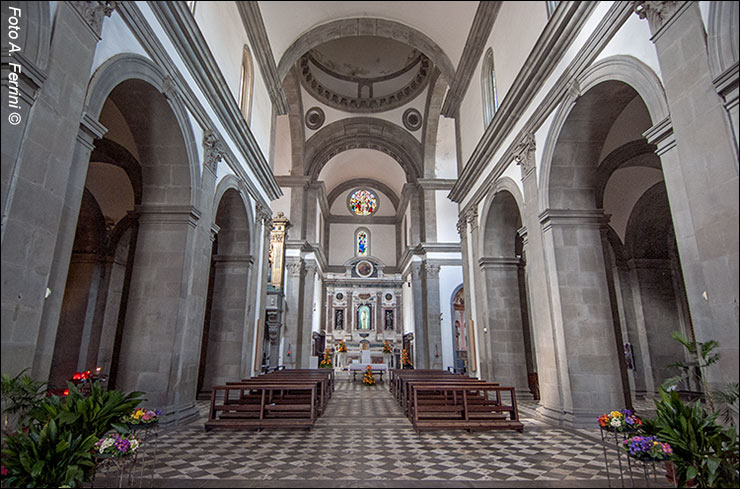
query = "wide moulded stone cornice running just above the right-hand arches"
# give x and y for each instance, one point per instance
(602, 34)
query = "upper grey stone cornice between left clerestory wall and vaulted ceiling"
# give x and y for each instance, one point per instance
(255, 27)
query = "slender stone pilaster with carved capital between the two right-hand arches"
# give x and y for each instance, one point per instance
(548, 341)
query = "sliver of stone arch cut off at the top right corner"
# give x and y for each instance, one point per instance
(722, 36)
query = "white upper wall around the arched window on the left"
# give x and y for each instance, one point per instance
(224, 32)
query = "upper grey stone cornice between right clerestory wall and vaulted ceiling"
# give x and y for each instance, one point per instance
(480, 30)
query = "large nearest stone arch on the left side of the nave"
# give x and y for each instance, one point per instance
(144, 76)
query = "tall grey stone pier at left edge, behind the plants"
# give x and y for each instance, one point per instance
(44, 193)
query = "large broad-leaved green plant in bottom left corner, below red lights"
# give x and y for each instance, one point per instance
(48, 456)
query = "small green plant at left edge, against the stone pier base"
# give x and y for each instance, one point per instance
(20, 394)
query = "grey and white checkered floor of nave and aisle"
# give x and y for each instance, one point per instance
(363, 440)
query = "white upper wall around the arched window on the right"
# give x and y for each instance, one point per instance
(515, 32)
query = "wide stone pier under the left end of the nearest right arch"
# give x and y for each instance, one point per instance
(582, 312)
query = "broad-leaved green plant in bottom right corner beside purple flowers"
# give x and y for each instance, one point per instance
(704, 451)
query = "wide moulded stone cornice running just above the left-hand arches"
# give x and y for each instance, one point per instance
(184, 33)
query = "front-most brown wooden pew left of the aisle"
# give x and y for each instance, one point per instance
(260, 405)
